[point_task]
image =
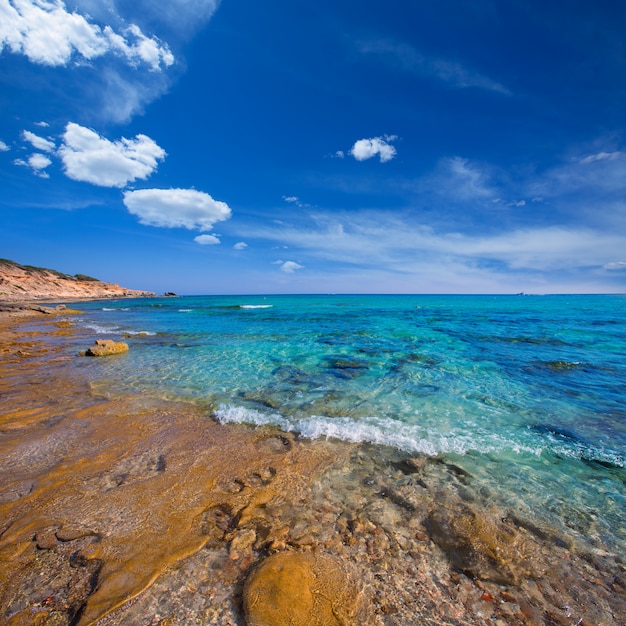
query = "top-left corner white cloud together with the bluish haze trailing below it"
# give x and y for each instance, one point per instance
(123, 68)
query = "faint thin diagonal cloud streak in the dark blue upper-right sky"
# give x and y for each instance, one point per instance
(408, 59)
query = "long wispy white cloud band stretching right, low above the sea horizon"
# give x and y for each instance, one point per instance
(397, 243)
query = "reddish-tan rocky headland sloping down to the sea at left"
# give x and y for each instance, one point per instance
(28, 284)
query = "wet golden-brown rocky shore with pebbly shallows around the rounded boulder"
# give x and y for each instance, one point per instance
(133, 510)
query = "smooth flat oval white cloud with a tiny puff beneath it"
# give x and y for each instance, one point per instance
(176, 208)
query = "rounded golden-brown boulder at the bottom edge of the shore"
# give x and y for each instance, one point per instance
(304, 589)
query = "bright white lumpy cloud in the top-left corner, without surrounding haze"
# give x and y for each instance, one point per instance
(47, 33)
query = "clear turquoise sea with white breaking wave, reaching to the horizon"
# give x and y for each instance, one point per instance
(527, 393)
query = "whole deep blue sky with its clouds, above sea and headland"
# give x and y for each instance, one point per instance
(338, 146)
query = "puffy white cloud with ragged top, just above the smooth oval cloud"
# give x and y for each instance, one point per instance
(88, 157)
